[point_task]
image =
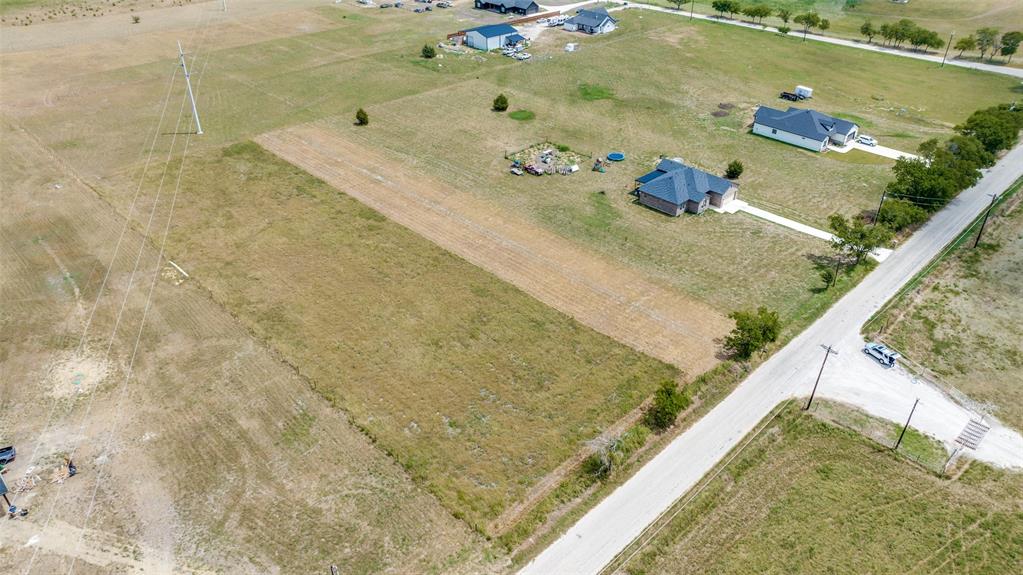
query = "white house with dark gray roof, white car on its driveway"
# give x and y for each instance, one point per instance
(806, 128)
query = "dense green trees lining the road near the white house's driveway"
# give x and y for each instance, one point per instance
(925, 185)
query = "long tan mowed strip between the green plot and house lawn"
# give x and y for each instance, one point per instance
(611, 298)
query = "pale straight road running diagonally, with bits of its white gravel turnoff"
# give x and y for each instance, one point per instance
(608, 528)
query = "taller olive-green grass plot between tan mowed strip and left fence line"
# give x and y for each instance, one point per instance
(476, 388)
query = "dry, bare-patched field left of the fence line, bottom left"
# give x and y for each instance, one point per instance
(214, 456)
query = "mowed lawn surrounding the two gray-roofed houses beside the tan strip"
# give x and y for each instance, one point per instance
(597, 101)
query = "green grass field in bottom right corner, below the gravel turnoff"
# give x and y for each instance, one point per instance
(807, 497)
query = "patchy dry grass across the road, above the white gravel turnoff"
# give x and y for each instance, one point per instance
(963, 322)
